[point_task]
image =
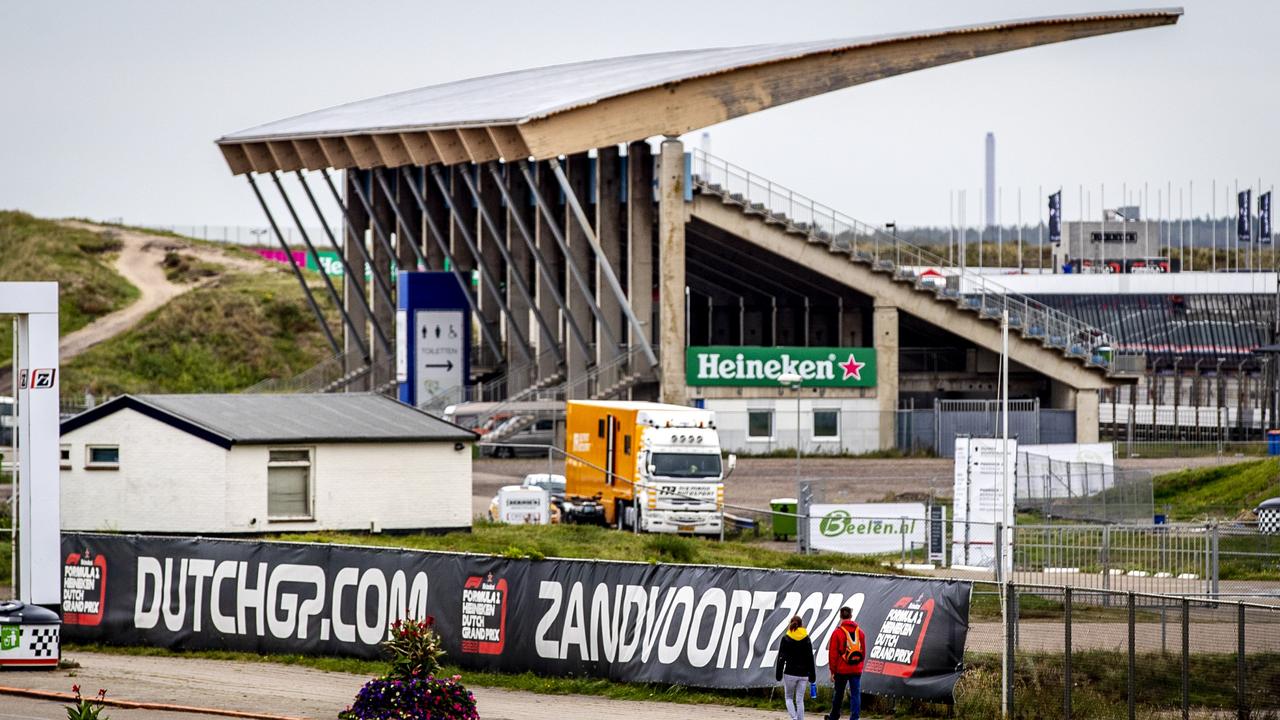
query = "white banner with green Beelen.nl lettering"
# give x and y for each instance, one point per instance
(870, 528)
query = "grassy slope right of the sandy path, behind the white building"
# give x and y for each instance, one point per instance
(221, 338)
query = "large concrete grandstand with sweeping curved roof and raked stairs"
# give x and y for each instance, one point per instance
(601, 265)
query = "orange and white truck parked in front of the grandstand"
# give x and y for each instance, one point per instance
(644, 466)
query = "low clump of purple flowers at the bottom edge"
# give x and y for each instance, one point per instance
(419, 699)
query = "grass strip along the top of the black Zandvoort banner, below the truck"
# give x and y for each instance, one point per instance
(601, 544)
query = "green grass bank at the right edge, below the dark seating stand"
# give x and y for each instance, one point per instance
(1218, 491)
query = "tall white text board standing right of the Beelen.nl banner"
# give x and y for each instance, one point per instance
(981, 500)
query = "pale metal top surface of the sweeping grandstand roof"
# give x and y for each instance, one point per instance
(531, 94)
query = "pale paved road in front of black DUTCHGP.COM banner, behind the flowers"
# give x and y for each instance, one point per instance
(299, 692)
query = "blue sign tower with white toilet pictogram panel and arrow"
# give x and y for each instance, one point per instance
(433, 336)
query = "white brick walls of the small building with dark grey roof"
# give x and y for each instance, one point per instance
(175, 482)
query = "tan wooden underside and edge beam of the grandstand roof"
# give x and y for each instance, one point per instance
(676, 107)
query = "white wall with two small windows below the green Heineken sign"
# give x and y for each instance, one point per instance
(860, 425)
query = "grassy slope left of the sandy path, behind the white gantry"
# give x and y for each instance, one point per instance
(33, 249)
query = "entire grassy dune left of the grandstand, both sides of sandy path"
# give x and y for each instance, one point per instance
(246, 318)
